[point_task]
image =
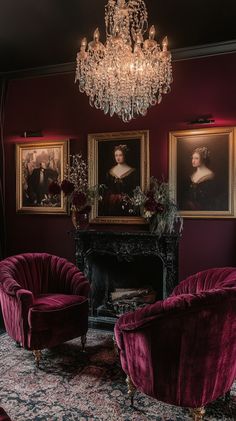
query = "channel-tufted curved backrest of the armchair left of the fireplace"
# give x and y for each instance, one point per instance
(38, 272)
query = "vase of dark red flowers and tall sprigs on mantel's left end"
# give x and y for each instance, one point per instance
(75, 187)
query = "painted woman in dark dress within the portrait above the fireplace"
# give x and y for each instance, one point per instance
(120, 179)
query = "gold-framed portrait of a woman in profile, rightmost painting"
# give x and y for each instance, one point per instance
(202, 172)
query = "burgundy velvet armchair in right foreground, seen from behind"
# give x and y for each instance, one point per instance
(182, 350)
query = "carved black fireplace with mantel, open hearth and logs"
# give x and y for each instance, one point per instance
(126, 269)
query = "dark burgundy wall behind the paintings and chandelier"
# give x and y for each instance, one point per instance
(54, 105)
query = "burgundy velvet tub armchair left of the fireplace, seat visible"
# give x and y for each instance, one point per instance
(44, 300)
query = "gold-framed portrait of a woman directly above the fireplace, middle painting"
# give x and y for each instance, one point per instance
(102, 167)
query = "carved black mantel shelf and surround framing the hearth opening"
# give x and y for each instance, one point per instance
(126, 246)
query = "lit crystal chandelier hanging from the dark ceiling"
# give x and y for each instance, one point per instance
(127, 74)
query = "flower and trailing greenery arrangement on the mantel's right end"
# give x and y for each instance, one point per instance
(156, 206)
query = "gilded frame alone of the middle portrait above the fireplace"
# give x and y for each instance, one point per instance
(95, 165)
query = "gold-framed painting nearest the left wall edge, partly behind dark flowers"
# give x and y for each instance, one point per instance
(37, 164)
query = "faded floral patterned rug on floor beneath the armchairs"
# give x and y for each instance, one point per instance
(75, 386)
